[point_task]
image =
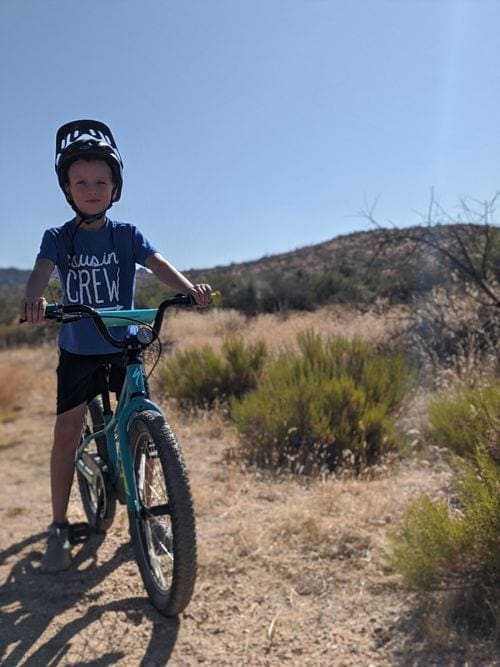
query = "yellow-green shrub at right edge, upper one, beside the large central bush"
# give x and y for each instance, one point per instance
(468, 419)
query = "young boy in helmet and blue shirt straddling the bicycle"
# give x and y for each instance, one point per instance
(95, 258)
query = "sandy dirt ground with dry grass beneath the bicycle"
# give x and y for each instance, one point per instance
(289, 573)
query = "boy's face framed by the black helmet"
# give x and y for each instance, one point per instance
(90, 185)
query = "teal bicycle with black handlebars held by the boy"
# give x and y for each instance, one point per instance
(130, 455)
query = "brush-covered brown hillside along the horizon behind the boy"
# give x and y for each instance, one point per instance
(359, 268)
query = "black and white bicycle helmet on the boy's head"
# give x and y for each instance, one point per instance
(87, 140)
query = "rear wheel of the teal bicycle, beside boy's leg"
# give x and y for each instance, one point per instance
(98, 498)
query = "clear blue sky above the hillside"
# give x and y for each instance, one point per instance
(251, 127)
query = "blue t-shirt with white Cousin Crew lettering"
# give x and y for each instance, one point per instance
(96, 268)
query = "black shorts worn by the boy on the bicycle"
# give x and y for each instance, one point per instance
(82, 377)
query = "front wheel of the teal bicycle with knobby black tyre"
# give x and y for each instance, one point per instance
(163, 532)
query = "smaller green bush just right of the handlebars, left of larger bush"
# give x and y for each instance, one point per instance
(200, 377)
